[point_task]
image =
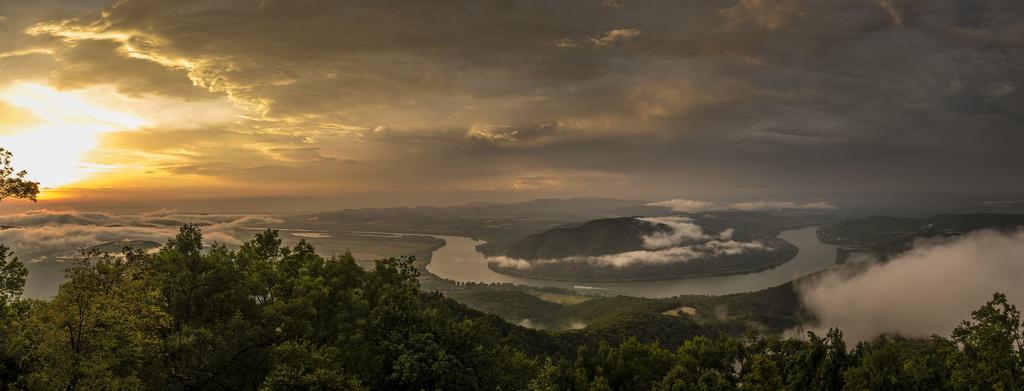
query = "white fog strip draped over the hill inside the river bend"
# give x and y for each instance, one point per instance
(685, 242)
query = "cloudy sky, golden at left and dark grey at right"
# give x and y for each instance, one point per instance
(306, 105)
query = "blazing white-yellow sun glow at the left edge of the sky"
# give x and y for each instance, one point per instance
(51, 133)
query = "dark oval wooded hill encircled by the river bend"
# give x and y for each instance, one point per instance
(637, 249)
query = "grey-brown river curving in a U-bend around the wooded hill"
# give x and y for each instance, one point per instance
(458, 260)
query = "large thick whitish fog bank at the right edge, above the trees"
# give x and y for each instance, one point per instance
(927, 291)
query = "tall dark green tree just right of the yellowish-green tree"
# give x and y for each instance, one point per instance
(217, 339)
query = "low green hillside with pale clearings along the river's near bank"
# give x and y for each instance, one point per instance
(773, 311)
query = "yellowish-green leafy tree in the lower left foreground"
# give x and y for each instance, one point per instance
(101, 331)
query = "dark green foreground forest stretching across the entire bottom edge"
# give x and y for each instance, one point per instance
(270, 318)
